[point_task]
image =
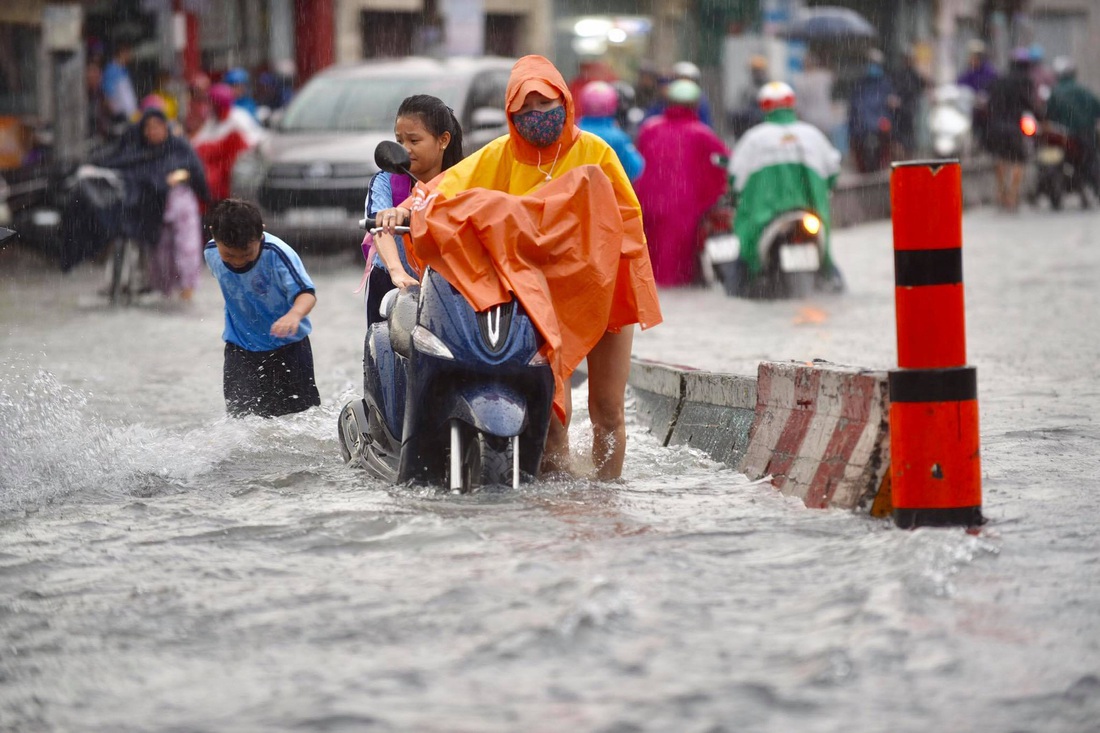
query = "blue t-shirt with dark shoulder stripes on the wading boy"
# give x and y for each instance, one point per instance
(261, 294)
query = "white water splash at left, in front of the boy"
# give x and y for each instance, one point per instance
(53, 446)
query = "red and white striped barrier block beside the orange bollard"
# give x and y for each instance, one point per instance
(821, 432)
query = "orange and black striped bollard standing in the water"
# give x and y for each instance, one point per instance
(936, 465)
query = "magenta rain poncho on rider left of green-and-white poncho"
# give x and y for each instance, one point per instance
(679, 184)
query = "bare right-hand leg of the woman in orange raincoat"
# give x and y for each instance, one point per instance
(609, 370)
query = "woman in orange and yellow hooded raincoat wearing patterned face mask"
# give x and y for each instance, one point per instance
(547, 213)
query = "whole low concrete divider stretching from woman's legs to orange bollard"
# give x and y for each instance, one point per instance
(821, 431)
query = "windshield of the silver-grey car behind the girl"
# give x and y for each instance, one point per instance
(362, 104)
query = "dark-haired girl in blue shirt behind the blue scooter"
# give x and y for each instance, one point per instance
(427, 128)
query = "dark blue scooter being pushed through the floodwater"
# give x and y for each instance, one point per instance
(453, 397)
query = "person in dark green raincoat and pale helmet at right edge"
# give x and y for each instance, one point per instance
(1077, 110)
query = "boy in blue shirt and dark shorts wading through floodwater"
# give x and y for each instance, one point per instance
(269, 367)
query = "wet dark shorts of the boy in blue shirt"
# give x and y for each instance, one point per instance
(270, 384)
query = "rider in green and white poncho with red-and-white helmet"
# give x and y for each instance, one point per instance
(779, 166)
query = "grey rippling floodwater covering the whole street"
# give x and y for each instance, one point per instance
(163, 568)
